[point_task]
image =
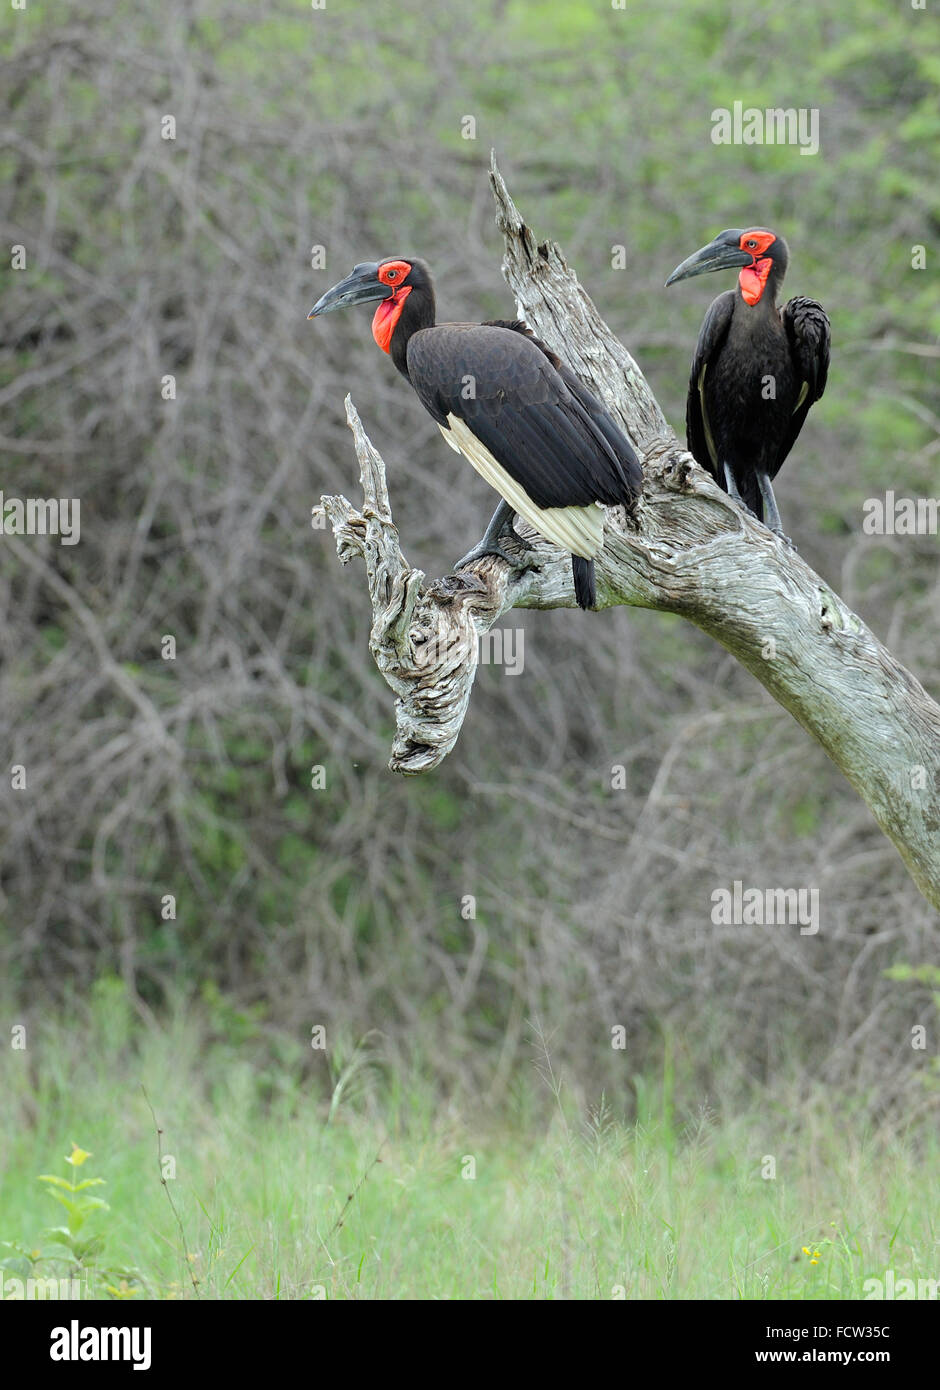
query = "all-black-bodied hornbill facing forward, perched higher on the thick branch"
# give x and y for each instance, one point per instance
(756, 370)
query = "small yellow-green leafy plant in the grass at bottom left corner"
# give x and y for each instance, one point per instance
(72, 1253)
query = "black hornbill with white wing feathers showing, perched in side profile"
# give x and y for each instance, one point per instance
(522, 418)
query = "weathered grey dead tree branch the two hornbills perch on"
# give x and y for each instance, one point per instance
(690, 551)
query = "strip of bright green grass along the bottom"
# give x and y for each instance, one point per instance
(287, 1192)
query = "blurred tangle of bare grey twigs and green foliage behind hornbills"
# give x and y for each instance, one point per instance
(193, 258)
